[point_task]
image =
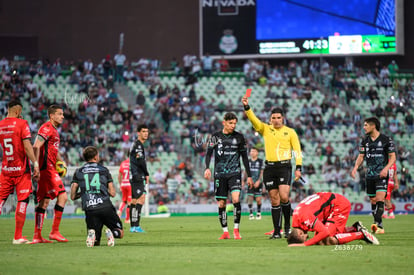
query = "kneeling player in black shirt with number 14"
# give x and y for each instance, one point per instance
(96, 187)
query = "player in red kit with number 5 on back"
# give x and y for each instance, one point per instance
(15, 171)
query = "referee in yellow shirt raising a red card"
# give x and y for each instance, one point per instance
(281, 144)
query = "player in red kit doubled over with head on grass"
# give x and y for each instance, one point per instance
(326, 214)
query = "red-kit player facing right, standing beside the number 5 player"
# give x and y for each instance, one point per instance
(50, 184)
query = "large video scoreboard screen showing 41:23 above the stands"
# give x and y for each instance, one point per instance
(241, 28)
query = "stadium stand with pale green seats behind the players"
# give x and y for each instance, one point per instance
(325, 107)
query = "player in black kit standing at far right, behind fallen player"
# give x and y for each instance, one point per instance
(379, 152)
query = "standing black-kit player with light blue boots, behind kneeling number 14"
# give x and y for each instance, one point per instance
(138, 177)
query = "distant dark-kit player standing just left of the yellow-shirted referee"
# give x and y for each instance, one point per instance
(255, 193)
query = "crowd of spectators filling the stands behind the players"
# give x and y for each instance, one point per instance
(96, 115)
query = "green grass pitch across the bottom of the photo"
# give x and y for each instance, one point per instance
(190, 245)
